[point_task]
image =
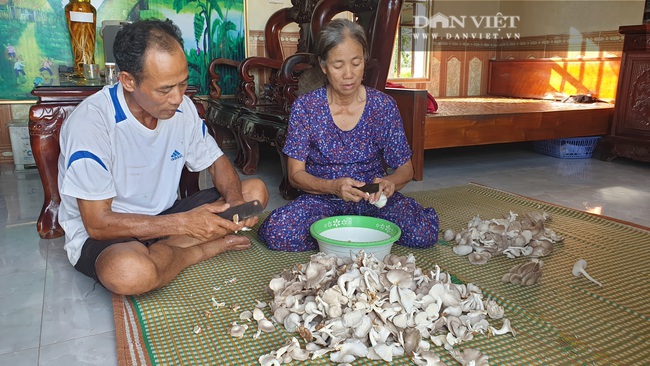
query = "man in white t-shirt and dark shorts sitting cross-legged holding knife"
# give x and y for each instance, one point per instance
(122, 153)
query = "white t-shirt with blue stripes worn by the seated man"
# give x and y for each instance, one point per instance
(106, 153)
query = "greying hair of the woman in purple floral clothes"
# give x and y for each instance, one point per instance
(337, 31)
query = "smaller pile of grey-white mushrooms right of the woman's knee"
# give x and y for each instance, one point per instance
(511, 236)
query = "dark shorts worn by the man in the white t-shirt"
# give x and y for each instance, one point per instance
(93, 248)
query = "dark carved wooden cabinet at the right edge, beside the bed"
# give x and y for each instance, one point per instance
(630, 135)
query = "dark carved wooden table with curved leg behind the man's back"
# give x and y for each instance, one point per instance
(54, 104)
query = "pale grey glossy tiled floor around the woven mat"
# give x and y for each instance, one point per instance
(52, 315)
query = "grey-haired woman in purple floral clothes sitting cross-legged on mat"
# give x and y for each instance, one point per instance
(339, 137)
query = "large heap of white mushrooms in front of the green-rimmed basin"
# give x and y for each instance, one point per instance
(354, 308)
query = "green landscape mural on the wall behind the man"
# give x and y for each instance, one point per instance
(35, 38)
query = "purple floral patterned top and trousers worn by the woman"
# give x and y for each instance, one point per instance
(360, 153)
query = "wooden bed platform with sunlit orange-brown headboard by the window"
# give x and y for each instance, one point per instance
(497, 119)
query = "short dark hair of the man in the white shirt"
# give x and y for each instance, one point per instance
(134, 39)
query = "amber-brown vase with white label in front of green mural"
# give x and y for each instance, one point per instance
(81, 16)
